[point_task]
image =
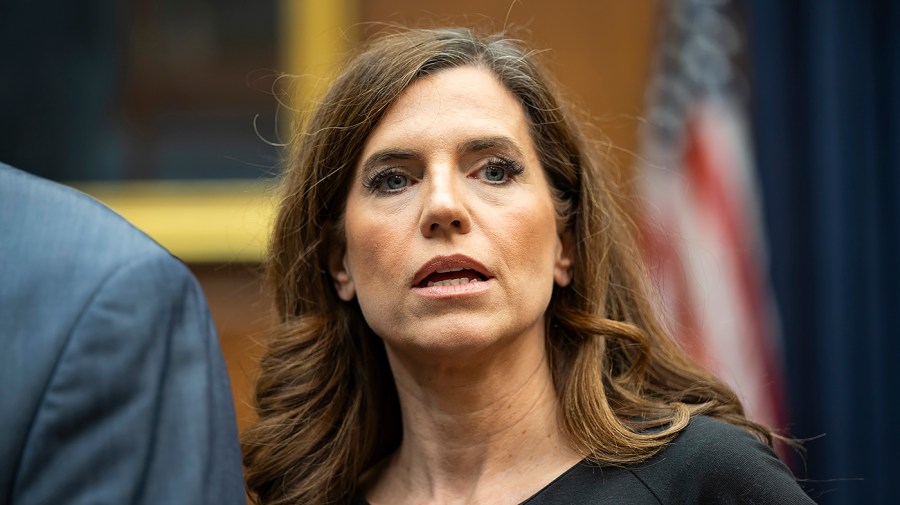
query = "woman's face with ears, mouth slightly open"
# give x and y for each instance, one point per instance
(451, 237)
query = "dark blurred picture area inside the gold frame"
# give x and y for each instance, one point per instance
(103, 89)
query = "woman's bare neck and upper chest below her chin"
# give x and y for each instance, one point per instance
(474, 432)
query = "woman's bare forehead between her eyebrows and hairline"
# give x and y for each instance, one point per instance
(450, 107)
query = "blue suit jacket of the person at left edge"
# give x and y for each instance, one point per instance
(112, 385)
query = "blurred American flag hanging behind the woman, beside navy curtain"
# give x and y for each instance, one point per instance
(703, 231)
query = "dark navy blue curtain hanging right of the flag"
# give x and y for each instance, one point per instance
(826, 83)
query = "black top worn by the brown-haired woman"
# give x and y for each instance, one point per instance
(708, 462)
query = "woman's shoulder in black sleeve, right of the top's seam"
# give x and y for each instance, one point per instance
(711, 461)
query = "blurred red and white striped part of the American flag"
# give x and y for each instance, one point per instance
(704, 243)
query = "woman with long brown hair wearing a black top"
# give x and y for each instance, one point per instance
(463, 315)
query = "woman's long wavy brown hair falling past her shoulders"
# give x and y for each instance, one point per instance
(326, 401)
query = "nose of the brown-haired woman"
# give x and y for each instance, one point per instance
(444, 210)
